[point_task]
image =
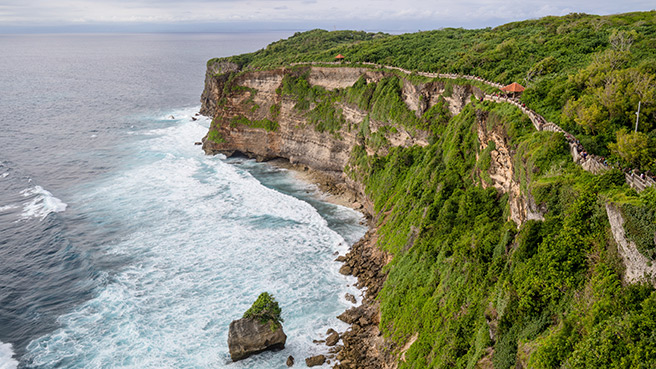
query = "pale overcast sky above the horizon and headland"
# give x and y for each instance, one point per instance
(242, 15)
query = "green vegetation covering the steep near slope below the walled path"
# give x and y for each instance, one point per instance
(552, 288)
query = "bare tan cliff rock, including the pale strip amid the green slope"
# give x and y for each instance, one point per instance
(232, 97)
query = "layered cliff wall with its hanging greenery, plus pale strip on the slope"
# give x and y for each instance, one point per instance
(259, 114)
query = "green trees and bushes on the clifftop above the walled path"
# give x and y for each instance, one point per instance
(585, 73)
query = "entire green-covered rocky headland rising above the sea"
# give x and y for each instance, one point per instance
(502, 251)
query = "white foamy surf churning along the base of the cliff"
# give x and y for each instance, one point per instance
(205, 238)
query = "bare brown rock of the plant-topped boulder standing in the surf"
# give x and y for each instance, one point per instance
(249, 336)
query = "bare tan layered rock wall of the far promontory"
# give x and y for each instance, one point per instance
(255, 95)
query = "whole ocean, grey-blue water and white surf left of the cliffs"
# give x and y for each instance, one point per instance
(121, 244)
